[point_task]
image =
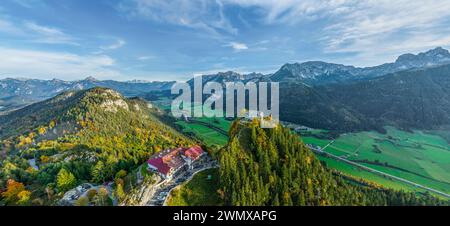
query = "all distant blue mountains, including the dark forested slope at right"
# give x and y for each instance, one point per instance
(411, 92)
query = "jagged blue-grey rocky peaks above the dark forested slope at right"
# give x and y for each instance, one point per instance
(314, 73)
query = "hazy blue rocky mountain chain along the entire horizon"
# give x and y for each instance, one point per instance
(310, 73)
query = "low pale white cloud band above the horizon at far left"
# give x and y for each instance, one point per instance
(45, 64)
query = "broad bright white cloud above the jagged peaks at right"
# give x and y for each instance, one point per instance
(378, 29)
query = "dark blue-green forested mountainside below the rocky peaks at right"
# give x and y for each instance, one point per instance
(416, 99)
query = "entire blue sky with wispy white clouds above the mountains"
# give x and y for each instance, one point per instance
(174, 40)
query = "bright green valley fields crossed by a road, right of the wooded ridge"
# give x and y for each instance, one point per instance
(420, 157)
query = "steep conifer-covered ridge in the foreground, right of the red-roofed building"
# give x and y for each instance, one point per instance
(273, 167)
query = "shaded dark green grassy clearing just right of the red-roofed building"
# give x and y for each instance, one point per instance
(200, 191)
